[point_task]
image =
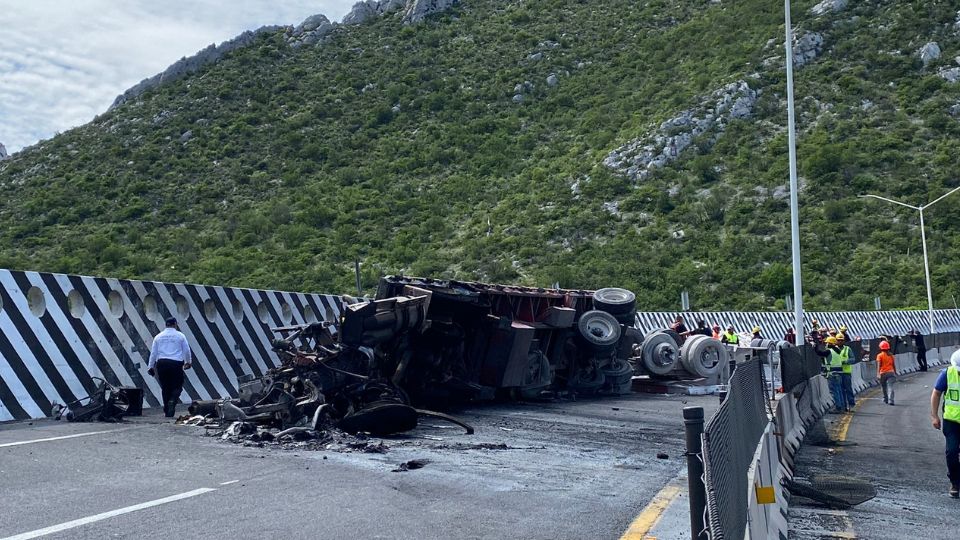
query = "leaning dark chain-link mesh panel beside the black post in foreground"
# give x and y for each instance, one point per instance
(729, 441)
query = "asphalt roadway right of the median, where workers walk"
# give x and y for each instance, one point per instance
(898, 451)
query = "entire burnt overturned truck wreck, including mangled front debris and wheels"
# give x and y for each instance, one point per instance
(424, 343)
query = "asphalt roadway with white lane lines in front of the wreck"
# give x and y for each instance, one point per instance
(573, 470)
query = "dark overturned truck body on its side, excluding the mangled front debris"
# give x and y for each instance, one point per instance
(481, 341)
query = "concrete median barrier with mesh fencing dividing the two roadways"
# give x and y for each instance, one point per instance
(750, 443)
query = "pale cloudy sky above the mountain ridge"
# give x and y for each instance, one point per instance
(62, 62)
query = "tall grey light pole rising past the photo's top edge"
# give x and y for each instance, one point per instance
(794, 211)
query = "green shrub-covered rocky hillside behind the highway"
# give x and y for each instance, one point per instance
(405, 146)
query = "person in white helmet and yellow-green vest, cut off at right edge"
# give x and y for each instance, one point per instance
(948, 386)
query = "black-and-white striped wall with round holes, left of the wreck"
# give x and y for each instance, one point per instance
(58, 332)
